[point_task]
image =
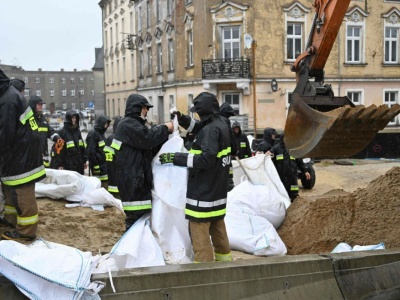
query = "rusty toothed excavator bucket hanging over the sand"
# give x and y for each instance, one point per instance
(332, 128)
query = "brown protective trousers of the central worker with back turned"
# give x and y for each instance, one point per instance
(203, 249)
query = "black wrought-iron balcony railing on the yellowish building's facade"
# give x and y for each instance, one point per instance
(225, 68)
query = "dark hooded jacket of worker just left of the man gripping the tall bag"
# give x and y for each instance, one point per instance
(95, 142)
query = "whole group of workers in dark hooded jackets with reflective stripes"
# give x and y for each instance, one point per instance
(122, 161)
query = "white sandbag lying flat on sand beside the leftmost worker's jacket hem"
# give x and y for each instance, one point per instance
(63, 183)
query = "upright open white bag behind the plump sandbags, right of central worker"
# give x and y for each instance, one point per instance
(261, 171)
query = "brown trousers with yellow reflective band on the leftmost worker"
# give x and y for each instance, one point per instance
(20, 209)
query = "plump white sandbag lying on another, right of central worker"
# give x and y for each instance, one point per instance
(259, 200)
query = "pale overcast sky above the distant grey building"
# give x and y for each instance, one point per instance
(50, 34)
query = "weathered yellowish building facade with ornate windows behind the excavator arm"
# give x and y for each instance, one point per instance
(237, 49)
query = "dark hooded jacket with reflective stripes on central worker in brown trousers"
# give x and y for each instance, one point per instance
(208, 162)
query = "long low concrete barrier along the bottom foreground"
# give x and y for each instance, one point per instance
(351, 275)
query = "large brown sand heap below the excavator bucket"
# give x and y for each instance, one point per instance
(365, 217)
